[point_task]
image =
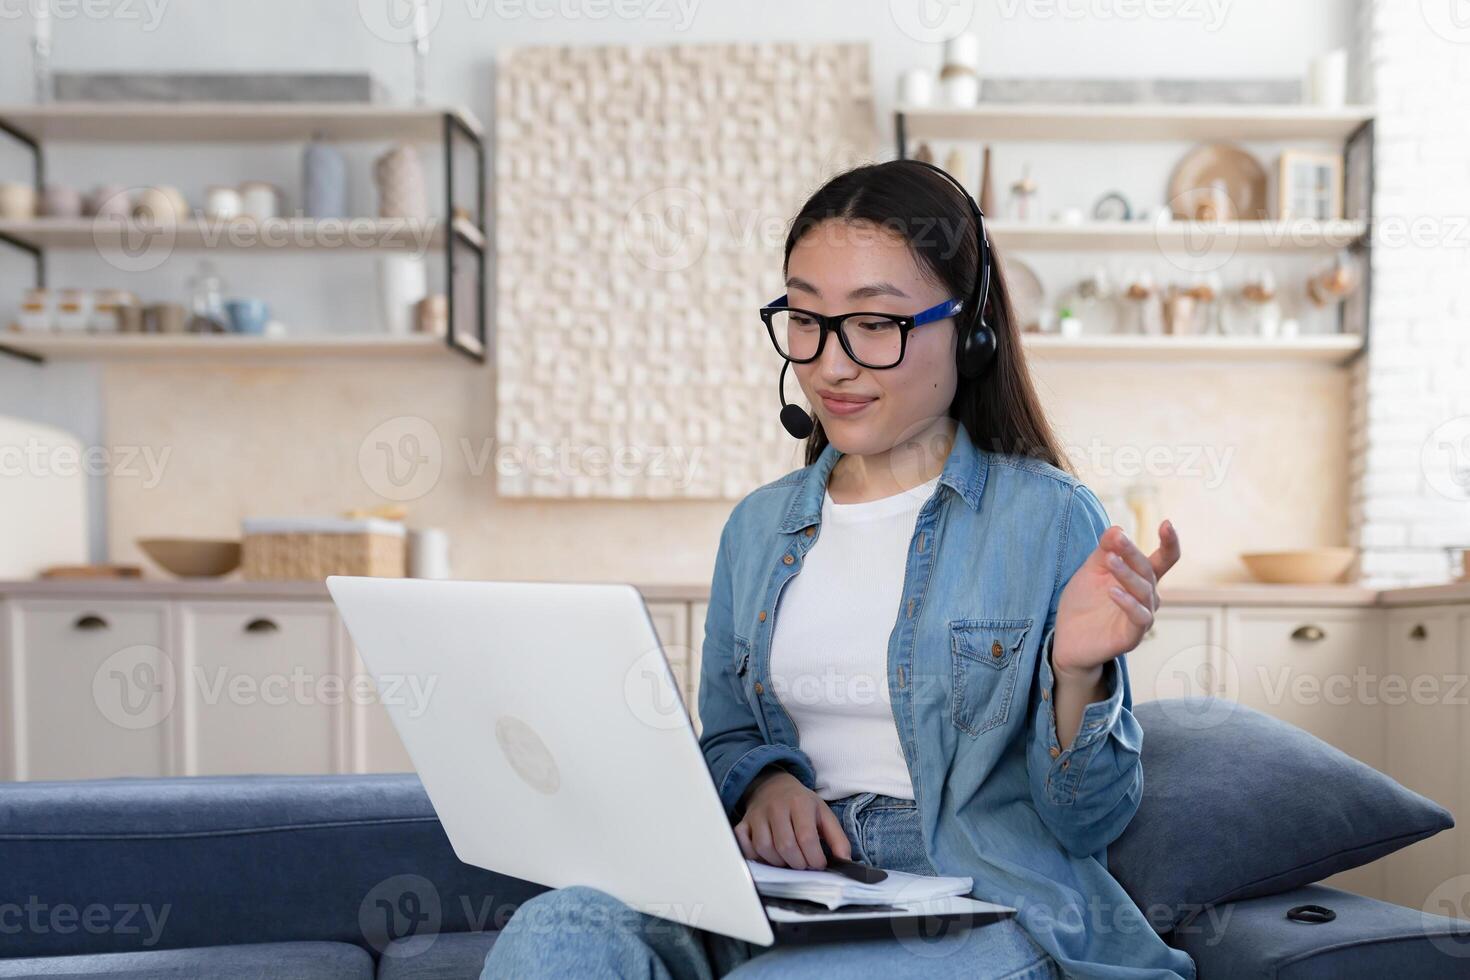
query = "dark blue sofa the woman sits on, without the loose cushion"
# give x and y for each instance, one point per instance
(352, 876)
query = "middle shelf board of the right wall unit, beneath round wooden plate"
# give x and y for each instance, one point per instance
(1296, 236)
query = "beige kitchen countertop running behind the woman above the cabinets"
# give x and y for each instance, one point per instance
(1231, 594)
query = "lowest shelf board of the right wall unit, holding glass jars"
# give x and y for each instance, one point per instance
(1330, 349)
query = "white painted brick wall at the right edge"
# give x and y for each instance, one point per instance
(1412, 393)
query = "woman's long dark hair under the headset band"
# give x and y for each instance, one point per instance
(999, 409)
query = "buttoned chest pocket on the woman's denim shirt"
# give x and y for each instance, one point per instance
(986, 659)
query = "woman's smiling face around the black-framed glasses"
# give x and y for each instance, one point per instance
(856, 267)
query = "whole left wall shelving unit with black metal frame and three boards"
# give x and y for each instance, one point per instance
(464, 242)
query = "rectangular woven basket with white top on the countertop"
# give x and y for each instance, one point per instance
(279, 552)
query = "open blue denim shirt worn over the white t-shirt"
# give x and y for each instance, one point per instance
(971, 682)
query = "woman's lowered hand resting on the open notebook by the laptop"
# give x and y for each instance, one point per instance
(786, 824)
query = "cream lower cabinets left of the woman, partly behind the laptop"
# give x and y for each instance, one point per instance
(224, 680)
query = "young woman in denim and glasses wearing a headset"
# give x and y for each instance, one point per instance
(944, 690)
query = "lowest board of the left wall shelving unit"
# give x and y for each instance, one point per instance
(217, 347)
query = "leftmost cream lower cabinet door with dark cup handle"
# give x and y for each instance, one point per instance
(87, 690)
